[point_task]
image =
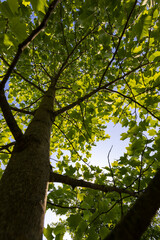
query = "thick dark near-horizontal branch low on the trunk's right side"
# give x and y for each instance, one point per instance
(55, 177)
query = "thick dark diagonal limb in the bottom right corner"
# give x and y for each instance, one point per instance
(139, 217)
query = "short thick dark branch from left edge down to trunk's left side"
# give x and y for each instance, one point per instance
(11, 122)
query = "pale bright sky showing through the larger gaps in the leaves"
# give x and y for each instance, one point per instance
(99, 158)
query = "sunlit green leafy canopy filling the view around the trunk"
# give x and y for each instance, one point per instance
(88, 44)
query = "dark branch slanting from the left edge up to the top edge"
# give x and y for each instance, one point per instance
(27, 41)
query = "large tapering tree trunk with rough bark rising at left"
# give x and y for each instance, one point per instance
(23, 187)
